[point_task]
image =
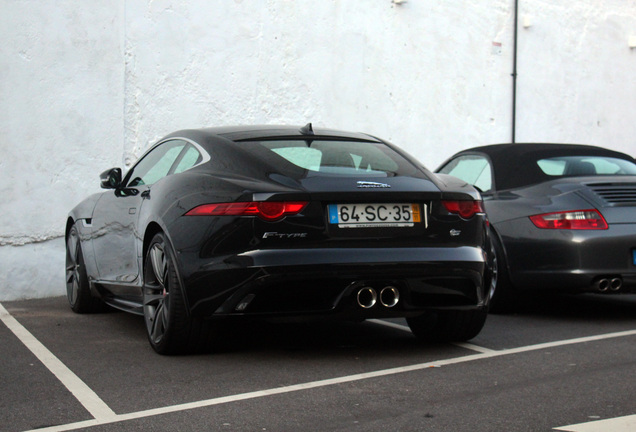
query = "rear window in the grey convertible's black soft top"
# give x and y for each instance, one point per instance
(586, 166)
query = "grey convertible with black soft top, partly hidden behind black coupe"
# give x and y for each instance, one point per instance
(563, 217)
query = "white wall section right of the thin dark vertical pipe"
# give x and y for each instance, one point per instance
(576, 73)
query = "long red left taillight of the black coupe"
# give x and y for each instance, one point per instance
(266, 210)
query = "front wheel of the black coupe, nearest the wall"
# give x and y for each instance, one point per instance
(78, 290)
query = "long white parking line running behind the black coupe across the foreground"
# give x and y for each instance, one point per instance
(103, 418)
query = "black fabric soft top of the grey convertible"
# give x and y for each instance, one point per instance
(514, 165)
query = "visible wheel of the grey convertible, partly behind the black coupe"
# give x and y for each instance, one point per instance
(503, 298)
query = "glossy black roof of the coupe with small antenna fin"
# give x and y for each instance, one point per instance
(256, 132)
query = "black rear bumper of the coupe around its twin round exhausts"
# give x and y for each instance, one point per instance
(326, 282)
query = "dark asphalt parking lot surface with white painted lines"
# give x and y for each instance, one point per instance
(560, 363)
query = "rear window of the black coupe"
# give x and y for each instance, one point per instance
(339, 157)
